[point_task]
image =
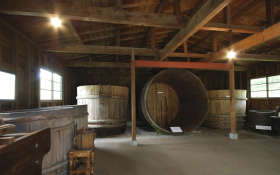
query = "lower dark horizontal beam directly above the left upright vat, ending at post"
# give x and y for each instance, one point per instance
(96, 64)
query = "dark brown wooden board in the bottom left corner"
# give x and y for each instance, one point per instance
(25, 155)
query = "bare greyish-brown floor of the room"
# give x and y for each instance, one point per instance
(204, 152)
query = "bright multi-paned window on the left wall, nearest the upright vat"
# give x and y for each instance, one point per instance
(50, 85)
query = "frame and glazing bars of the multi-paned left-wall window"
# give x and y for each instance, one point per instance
(52, 86)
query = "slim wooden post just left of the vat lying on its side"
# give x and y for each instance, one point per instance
(133, 99)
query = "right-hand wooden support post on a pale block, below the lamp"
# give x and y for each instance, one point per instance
(233, 135)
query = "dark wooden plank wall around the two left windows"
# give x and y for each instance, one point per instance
(19, 55)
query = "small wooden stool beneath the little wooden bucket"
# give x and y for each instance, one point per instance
(81, 162)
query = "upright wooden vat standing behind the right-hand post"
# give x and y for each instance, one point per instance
(219, 108)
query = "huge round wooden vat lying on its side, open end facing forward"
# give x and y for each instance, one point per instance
(174, 98)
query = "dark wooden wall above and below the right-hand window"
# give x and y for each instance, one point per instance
(262, 70)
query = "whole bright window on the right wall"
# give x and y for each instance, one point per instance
(265, 87)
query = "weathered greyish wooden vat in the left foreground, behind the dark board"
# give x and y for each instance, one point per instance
(63, 121)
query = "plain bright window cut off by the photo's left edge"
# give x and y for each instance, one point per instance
(8, 85)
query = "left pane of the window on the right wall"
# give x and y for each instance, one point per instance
(258, 88)
